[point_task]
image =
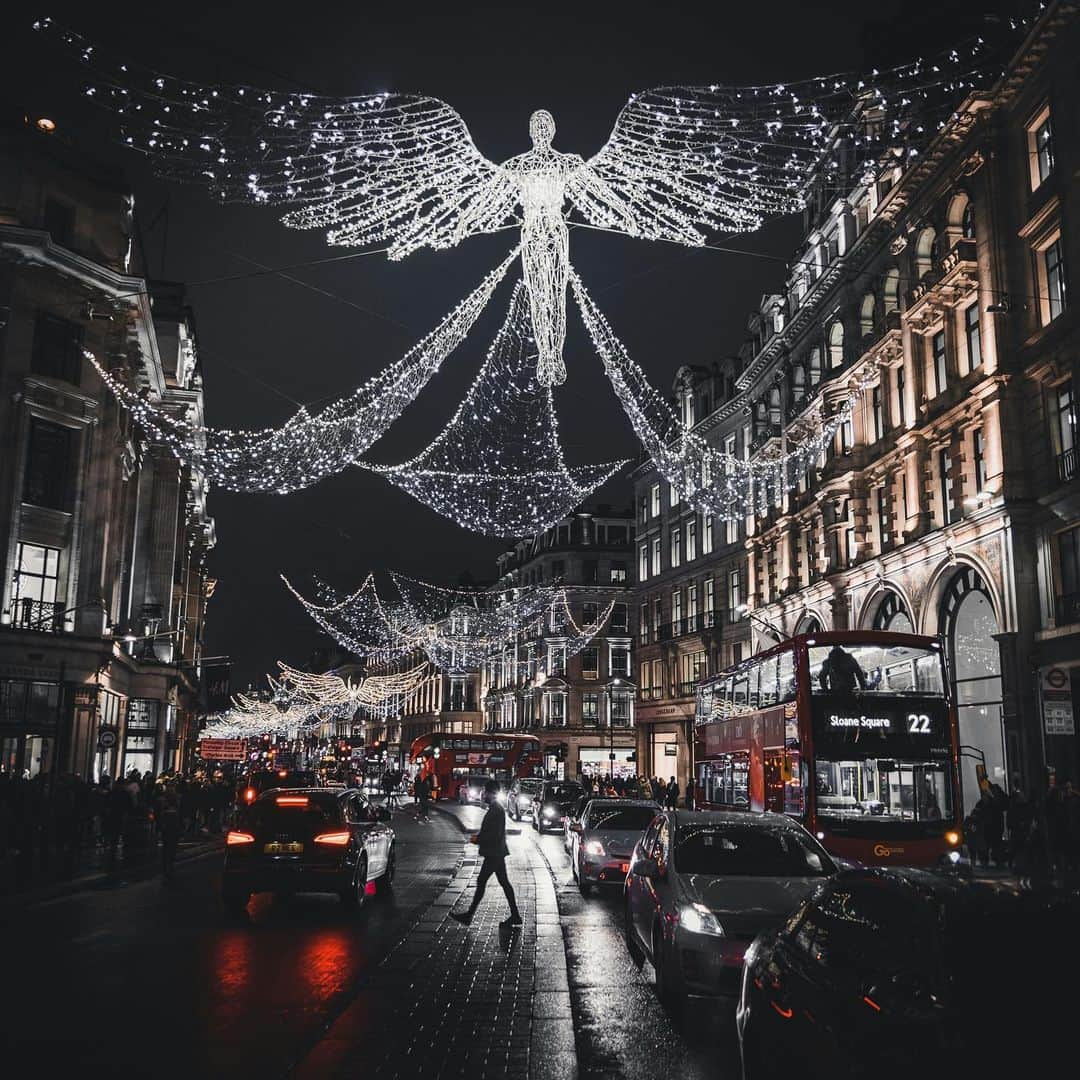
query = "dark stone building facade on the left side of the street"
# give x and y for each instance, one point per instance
(104, 537)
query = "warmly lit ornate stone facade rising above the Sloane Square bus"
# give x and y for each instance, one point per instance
(949, 504)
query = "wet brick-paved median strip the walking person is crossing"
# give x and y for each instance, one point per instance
(479, 1002)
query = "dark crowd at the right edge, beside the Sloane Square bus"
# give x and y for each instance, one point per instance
(1023, 834)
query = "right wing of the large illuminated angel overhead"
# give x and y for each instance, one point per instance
(690, 160)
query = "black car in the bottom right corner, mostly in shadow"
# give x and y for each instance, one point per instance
(906, 973)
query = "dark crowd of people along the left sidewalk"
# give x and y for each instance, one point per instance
(50, 827)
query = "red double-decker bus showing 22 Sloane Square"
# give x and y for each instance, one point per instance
(853, 733)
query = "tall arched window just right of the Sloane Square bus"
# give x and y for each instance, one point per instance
(967, 615)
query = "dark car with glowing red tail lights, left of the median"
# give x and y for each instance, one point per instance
(308, 841)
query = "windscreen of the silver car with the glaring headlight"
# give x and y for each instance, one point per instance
(749, 852)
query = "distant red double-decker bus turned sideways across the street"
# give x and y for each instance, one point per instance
(453, 759)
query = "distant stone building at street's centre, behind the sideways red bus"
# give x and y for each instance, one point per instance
(580, 705)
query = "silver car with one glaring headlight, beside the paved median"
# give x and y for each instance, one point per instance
(703, 886)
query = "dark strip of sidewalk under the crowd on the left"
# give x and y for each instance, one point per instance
(94, 870)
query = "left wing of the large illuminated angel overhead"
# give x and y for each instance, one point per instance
(393, 169)
